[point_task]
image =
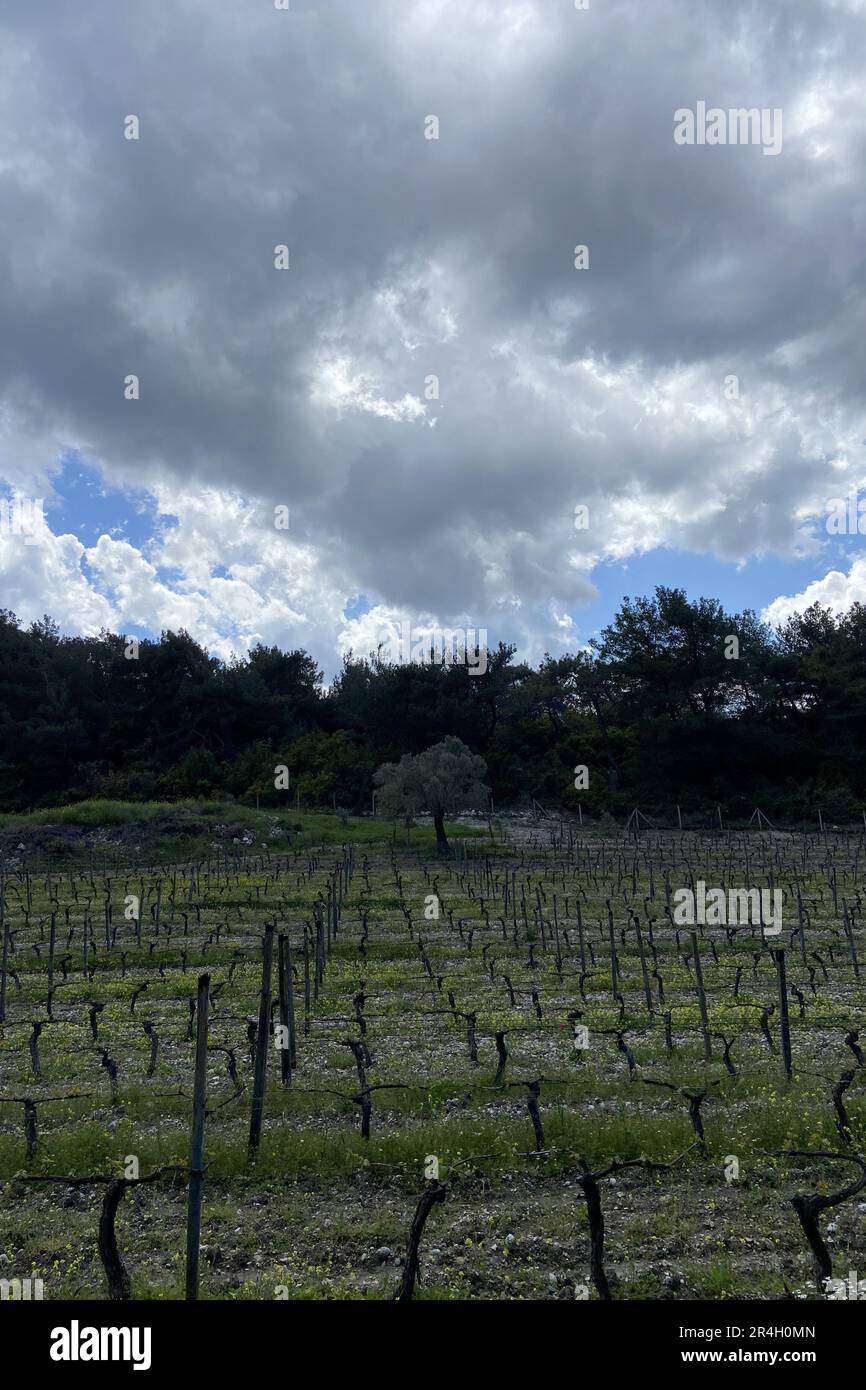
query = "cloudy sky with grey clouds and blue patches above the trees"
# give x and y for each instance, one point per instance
(300, 344)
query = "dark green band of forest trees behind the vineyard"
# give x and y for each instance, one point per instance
(657, 710)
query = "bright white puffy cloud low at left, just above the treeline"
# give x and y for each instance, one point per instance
(220, 569)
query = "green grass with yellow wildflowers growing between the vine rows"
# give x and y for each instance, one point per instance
(311, 1214)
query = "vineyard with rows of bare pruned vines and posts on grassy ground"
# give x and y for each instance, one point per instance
(503, 1075)
